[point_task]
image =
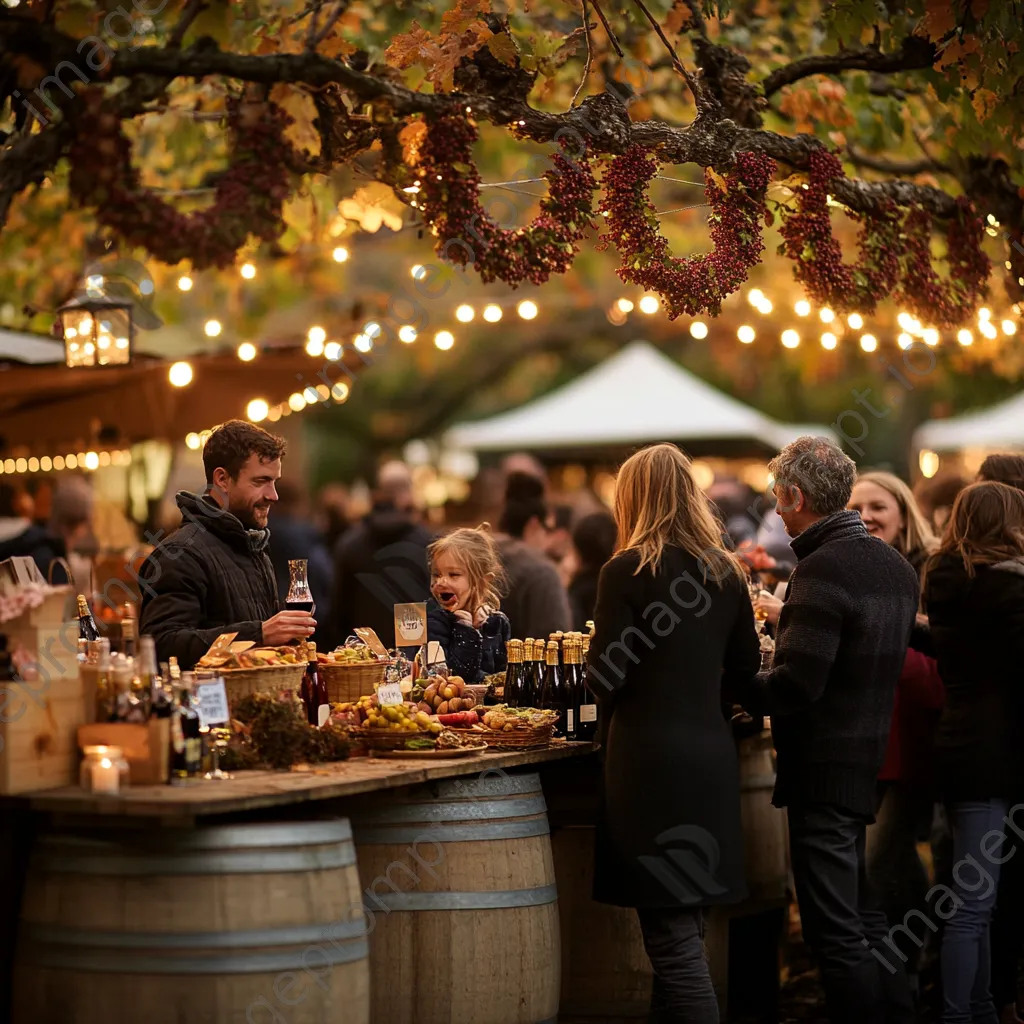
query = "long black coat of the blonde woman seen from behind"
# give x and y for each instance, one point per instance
(668, 649)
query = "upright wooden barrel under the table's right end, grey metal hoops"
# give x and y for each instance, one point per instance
(461, 903)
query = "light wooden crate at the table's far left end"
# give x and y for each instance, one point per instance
(40, 714)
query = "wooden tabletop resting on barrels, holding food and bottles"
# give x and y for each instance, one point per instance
(249, 791)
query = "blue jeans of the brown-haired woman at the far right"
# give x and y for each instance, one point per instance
(966, 950)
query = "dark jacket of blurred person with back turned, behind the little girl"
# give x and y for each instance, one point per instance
(378, 564)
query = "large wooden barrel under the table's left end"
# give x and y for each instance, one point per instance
(251, 924)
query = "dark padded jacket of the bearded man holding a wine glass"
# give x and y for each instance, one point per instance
(211, 576)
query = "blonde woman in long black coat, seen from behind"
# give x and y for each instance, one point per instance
(675, 634)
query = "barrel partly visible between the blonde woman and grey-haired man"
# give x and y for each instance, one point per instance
(766, 840)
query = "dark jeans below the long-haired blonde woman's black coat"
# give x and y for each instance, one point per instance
(682, 991)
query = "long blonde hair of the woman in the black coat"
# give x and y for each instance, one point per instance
(659, 504)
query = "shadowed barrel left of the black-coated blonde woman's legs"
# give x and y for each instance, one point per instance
(606, 970)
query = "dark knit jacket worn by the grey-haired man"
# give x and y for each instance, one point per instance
(842, 642)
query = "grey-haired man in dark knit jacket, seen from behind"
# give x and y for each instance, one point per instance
(842, 639)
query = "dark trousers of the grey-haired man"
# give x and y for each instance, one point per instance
(864, 980)
